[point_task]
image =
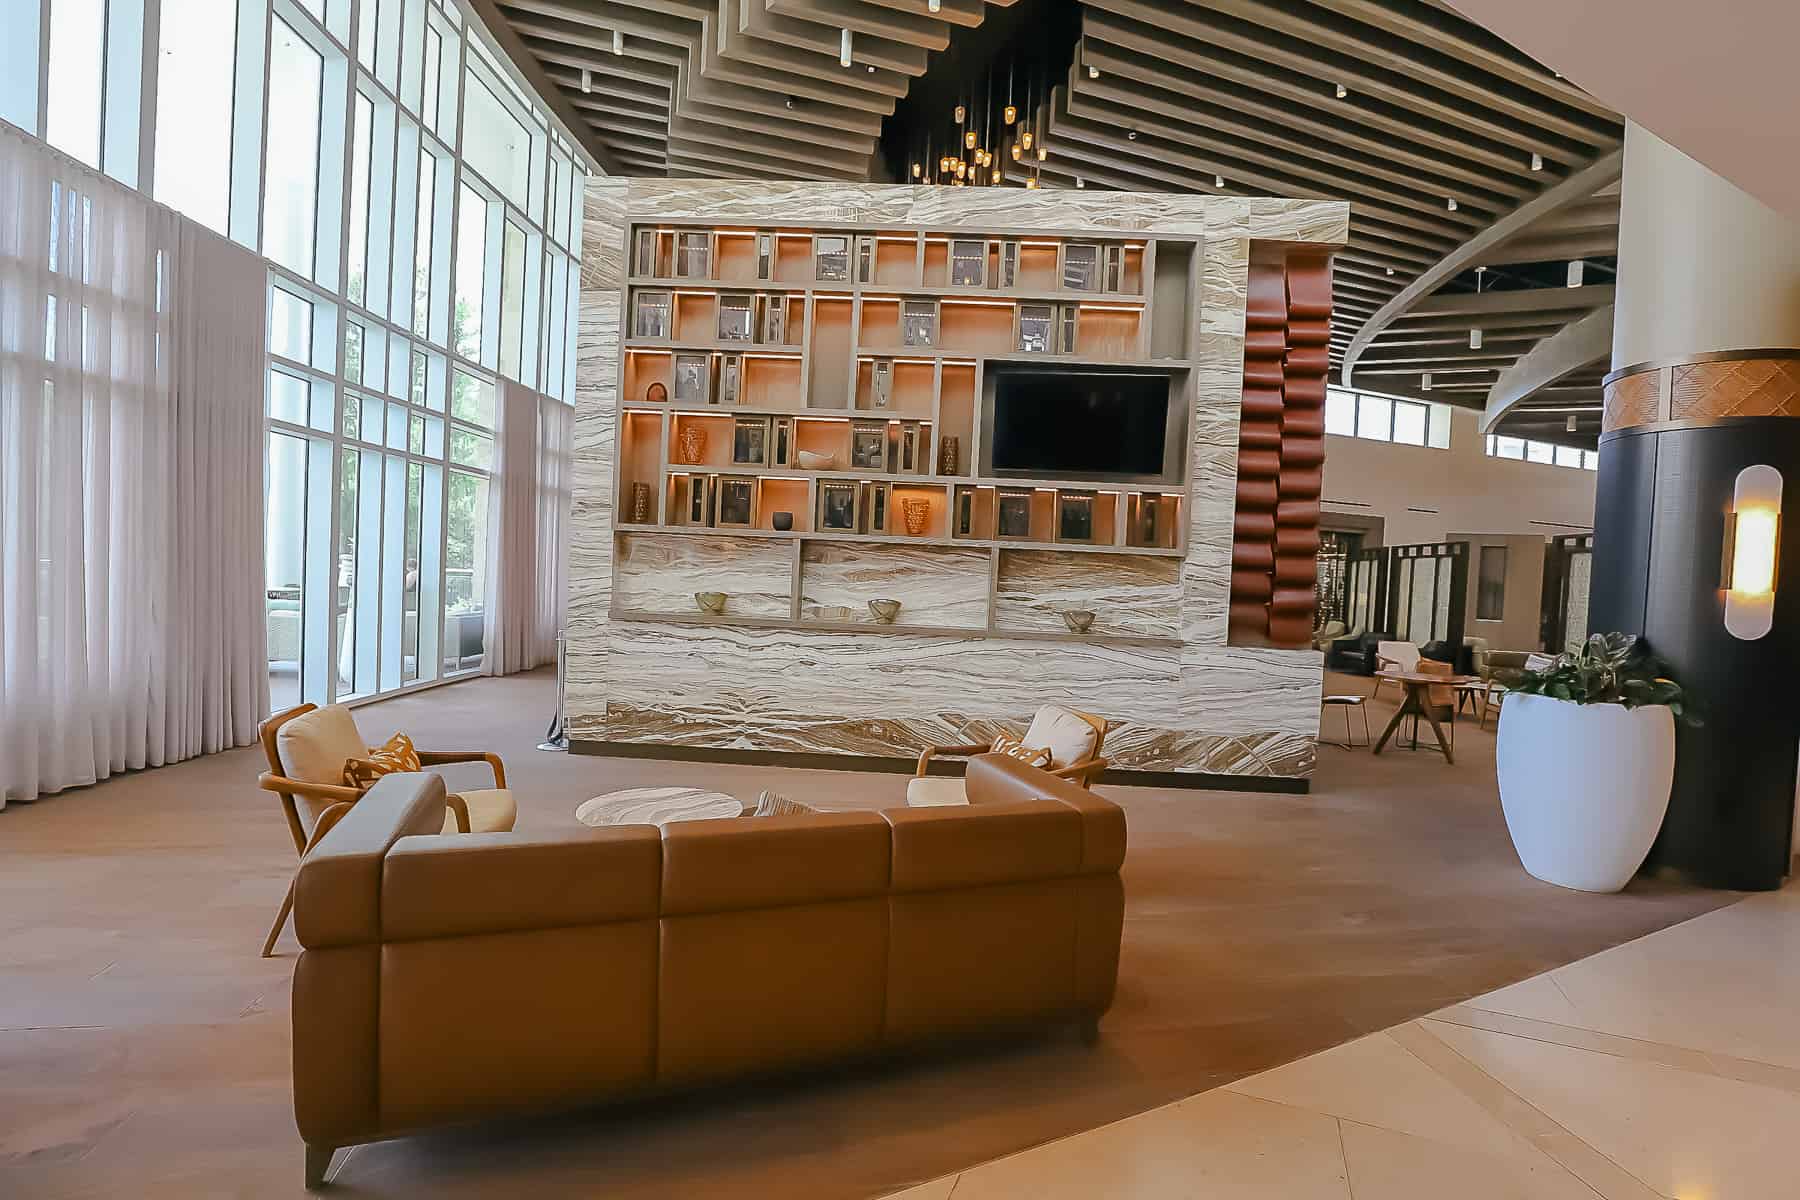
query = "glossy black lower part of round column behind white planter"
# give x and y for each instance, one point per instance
(1660, 523)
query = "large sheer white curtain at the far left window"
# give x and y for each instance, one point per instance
(130, 479)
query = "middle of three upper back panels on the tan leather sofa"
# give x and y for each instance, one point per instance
(712, 866)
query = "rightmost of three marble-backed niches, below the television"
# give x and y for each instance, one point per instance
(1129, 595)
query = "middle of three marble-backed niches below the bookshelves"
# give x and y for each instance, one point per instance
(935, 586)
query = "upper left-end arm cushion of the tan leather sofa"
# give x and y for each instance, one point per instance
(337, 891)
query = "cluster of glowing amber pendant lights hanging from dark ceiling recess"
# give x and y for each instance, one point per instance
(1000, 116)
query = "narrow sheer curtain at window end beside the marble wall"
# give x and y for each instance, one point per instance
(528, 521)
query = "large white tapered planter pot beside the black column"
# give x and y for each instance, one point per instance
(1585, 787)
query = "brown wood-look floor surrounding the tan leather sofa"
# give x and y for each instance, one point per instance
(145, 1044)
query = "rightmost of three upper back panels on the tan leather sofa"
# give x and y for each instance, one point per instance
(939, 848)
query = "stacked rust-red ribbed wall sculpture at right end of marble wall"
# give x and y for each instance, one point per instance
(1281, 451)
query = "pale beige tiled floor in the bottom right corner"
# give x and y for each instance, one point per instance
(1668, 1068)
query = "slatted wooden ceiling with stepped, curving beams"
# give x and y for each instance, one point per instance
(1162, 96)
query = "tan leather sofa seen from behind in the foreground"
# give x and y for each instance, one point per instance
(447, 980)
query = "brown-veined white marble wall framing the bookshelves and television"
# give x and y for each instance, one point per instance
(1180, 699)
